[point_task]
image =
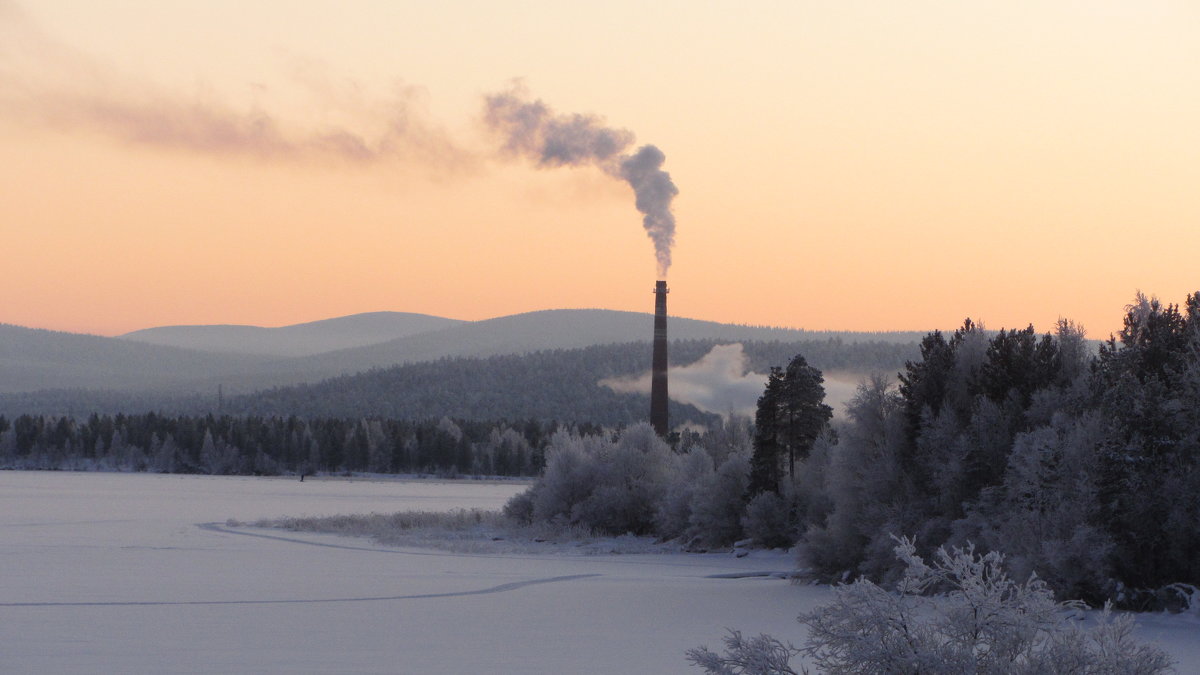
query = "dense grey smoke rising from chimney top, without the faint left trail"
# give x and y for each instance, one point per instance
(531, 129)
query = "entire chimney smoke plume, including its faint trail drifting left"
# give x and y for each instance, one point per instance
(47, 85)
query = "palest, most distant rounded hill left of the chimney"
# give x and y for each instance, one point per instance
(297, 341)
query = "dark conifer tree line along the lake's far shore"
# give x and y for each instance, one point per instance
(265, 446)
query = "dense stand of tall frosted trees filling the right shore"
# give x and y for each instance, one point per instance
(1083, 468)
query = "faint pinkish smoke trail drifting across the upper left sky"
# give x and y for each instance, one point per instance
(47, 85)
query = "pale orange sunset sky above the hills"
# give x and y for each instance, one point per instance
(839, 165)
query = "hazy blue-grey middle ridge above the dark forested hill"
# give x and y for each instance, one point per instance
(145, 373)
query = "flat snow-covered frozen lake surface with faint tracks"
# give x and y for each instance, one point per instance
(119, 574)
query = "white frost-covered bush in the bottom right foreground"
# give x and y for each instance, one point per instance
(959, 614)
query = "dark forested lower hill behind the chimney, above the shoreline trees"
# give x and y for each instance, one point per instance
(554, 385)
